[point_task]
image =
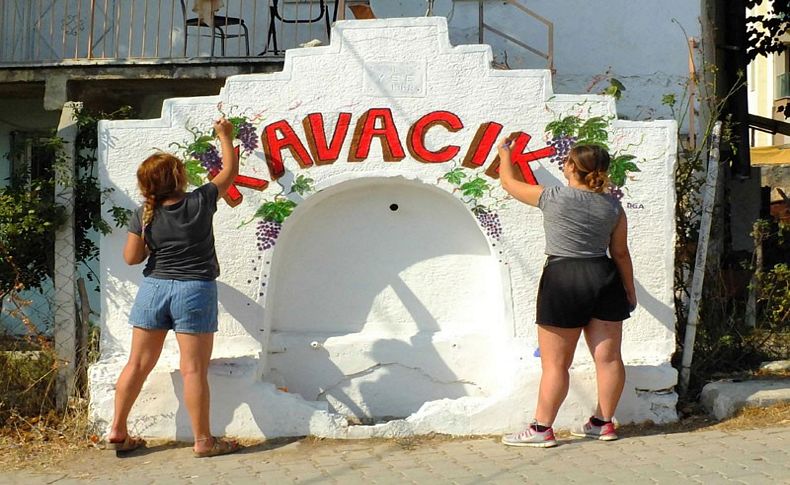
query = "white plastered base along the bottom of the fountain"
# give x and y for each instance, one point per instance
(245, 406)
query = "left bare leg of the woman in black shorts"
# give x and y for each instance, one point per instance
(557, 346)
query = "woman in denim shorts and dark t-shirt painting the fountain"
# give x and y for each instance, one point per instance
(173, 231)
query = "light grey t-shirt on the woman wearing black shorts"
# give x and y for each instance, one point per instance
(578, 223)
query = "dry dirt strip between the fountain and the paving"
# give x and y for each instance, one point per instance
(48, 443)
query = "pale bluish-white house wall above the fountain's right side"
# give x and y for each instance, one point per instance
(640, 41)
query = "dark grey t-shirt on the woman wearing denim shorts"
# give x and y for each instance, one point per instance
(181, 237)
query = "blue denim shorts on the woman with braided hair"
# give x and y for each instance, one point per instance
(183, 306)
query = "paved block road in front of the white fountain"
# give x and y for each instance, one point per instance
(760, 456)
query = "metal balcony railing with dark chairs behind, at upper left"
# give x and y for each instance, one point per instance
(53, 31)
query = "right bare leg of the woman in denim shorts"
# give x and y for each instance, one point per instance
(195, 356)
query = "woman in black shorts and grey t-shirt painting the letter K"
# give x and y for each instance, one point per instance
(582, 290)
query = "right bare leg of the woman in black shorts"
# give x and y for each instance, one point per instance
(604, 339)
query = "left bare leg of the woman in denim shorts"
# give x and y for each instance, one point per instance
(146, 347)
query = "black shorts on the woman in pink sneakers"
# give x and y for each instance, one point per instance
(573, 291)
